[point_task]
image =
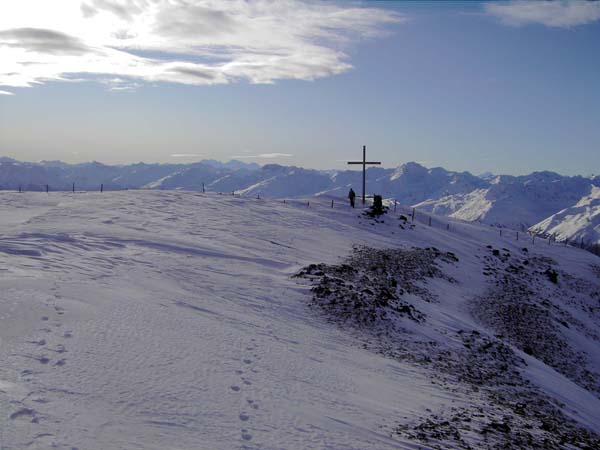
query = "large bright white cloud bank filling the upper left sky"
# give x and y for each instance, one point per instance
(196, 42)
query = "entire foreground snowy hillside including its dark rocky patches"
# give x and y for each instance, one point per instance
(177, 320)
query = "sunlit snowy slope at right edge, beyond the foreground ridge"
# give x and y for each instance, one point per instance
(579, 222)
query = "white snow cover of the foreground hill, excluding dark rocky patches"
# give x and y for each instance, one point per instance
(170, 319)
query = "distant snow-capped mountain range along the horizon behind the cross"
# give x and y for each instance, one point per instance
(541, 201)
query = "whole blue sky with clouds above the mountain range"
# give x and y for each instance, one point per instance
(504, 87)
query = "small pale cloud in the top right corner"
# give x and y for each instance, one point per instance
(558, 13)
